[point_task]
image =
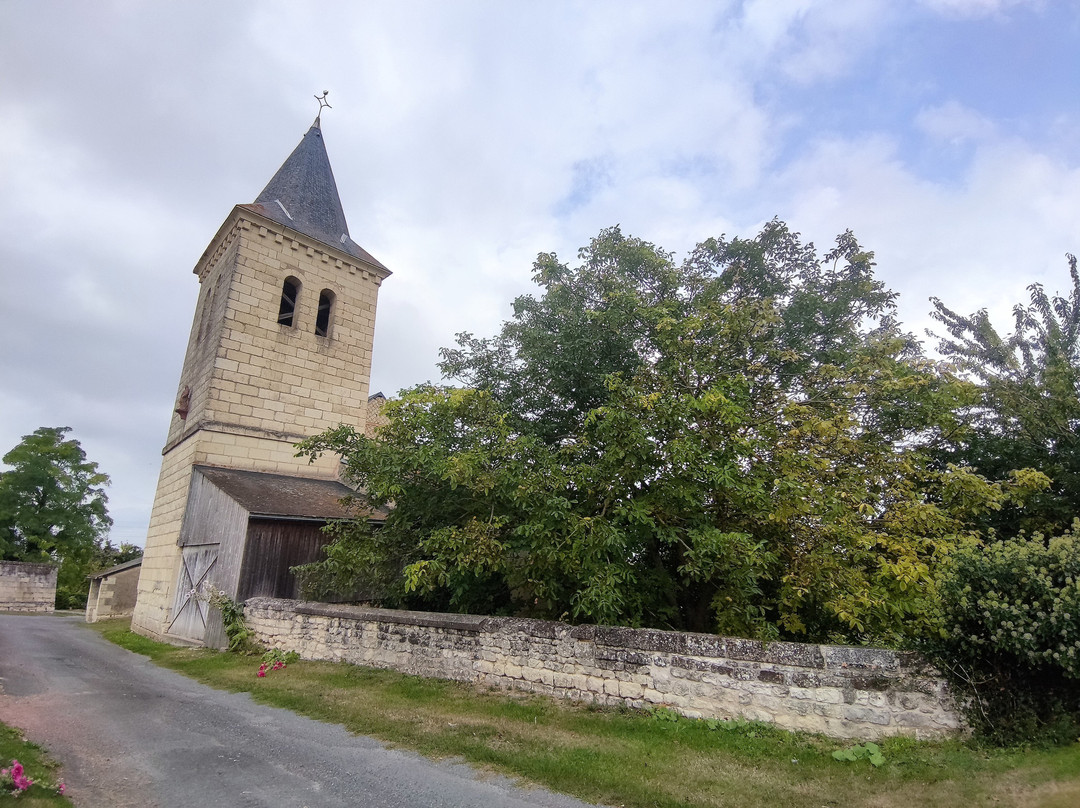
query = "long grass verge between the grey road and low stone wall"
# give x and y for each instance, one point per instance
(624, 758)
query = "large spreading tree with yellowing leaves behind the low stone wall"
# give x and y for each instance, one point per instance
(736, 443)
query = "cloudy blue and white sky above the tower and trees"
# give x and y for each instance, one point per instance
(469, 137)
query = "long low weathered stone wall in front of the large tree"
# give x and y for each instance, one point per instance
(840, 691)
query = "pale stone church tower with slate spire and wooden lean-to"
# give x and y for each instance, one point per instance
(280, 351)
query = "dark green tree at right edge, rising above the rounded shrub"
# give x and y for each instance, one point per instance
(1029, 411)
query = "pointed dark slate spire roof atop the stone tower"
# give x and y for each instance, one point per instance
(304, 197)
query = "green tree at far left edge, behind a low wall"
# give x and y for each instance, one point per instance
(53, 508)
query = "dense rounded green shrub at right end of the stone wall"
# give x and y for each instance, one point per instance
(1011, 637)
